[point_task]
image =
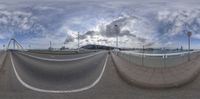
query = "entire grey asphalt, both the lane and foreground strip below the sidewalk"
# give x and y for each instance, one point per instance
(110, 86)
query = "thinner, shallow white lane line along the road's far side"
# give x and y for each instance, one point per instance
(60, 60)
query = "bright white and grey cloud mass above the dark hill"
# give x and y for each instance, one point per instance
(125, 29)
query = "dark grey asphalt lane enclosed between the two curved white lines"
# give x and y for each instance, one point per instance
(51, 75)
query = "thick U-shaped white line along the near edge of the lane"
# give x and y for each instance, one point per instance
(58, 91)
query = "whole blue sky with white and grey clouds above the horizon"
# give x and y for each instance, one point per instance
(152, 23)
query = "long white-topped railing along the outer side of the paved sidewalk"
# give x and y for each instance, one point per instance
(158, 60)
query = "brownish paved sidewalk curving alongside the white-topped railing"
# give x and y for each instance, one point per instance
(165, 77)
